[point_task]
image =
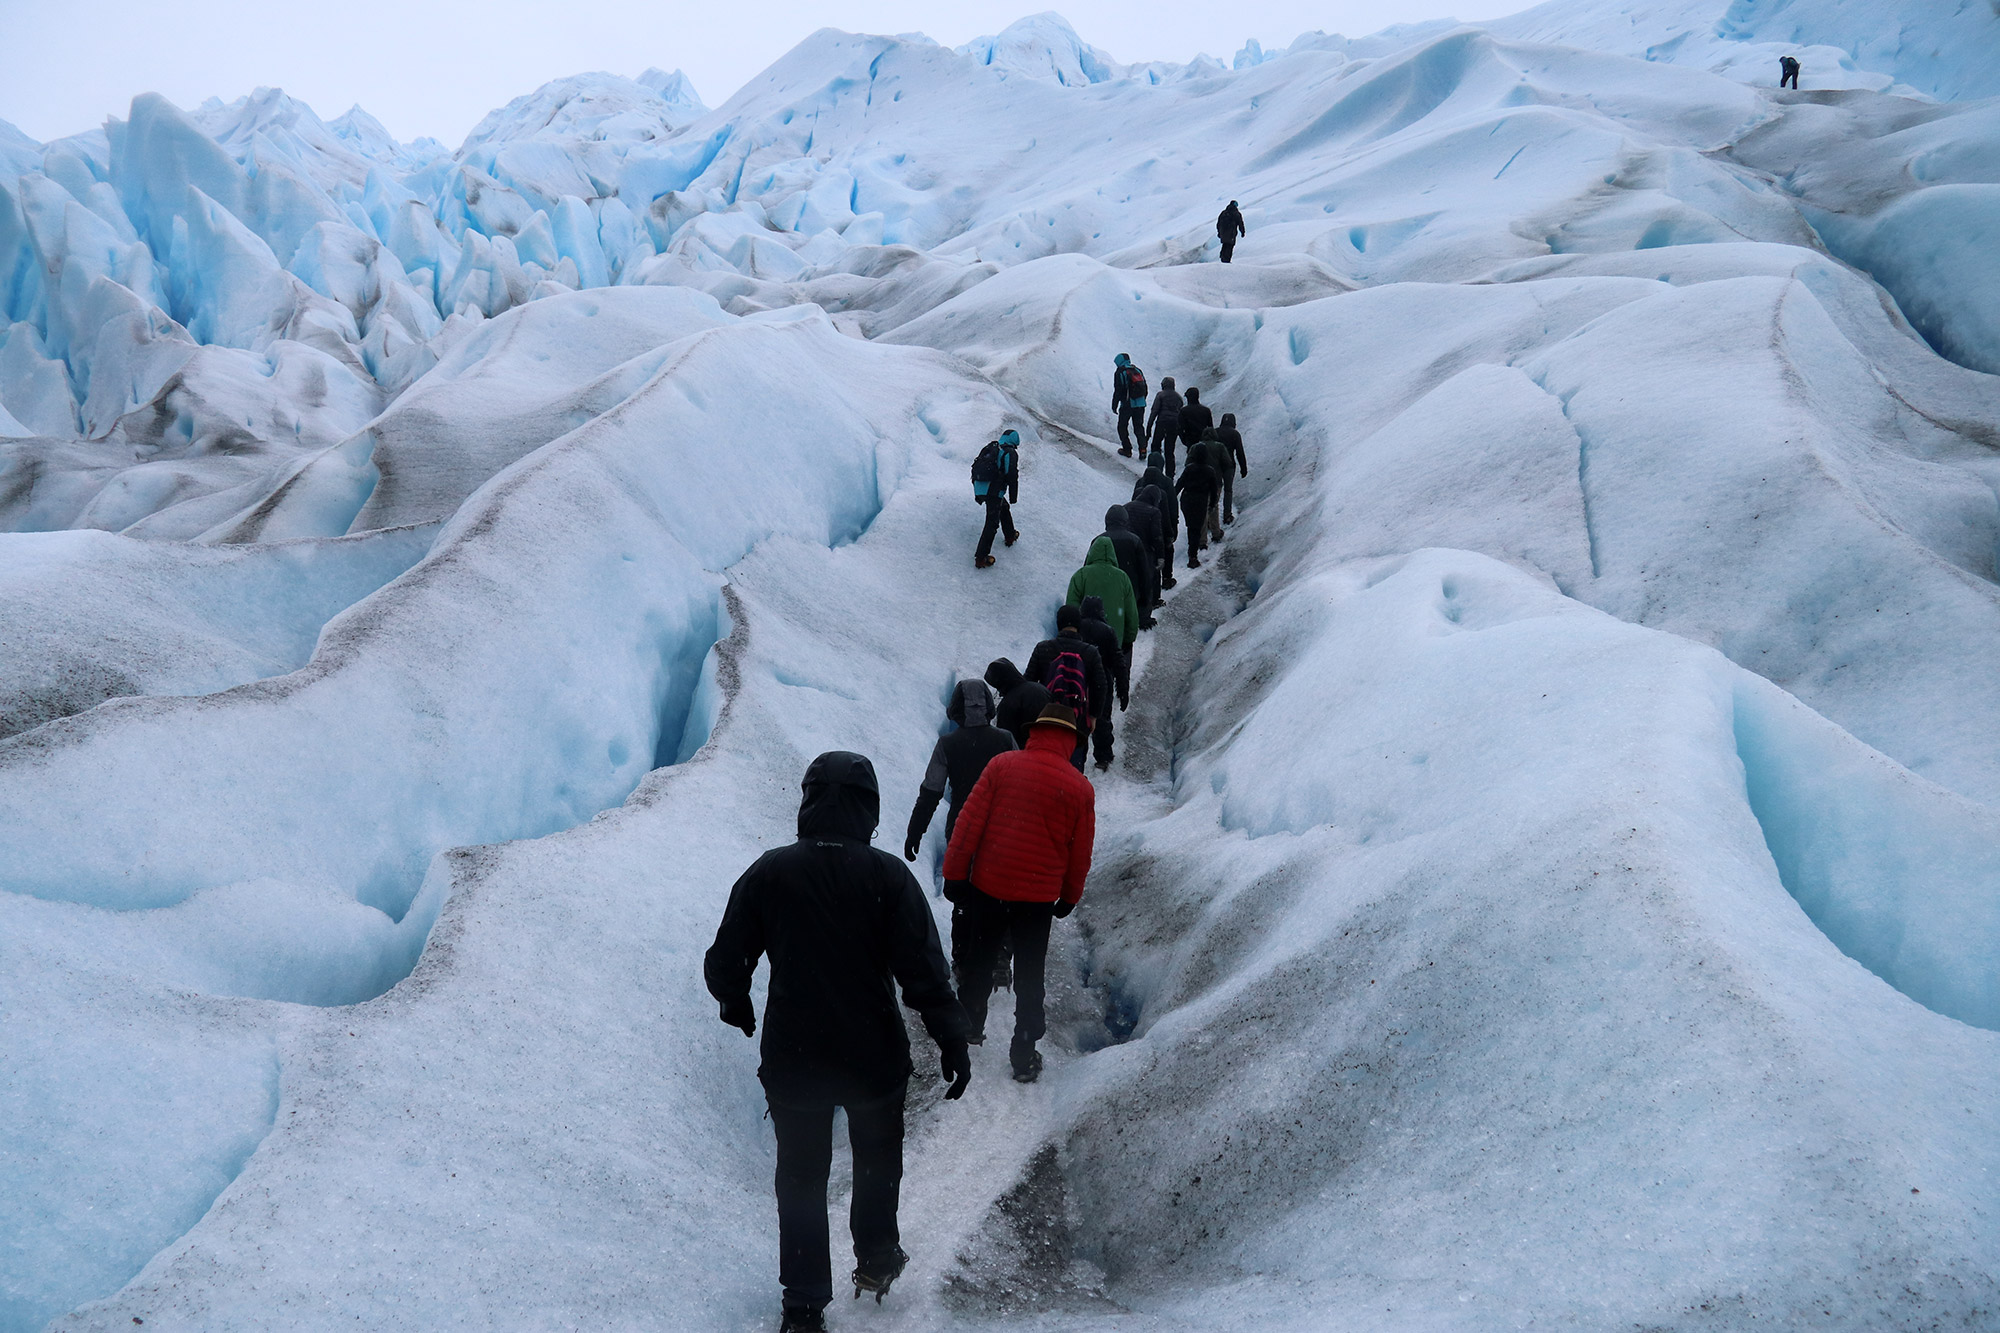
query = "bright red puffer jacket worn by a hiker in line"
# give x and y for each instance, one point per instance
(1027, 830)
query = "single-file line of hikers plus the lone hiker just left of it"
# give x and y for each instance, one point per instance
(845, 924)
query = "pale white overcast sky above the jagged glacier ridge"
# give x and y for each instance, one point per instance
(435, 67)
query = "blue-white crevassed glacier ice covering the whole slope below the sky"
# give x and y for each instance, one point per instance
(1553, 868)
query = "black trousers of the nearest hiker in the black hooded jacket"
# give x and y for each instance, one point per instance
(805, 1158)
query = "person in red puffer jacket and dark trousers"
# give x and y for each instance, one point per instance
(1019, 860)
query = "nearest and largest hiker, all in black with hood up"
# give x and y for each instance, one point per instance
(843, 926)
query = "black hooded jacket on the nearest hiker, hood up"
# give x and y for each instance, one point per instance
(843, 926)
